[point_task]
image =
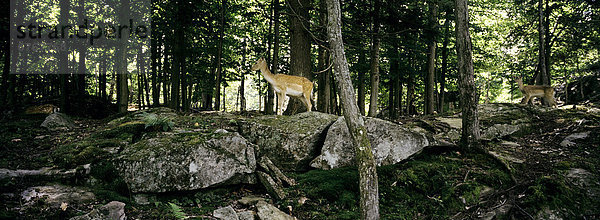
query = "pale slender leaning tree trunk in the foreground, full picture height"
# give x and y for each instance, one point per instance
(369, 196)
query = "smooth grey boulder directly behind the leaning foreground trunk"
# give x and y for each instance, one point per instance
(390, 143)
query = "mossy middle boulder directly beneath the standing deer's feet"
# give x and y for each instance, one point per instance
(291, 142)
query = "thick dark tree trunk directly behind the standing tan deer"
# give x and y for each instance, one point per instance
(300, 63)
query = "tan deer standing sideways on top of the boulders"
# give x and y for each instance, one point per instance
(294, 86)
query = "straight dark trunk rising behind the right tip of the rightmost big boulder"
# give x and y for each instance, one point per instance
(430, 83)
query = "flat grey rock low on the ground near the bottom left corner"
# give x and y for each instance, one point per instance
(57, 194)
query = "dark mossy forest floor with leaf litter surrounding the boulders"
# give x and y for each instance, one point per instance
(536, 178)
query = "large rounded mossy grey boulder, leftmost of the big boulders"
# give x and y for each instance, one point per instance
(187, 160)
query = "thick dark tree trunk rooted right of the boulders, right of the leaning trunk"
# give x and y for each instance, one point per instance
(468, 91)
